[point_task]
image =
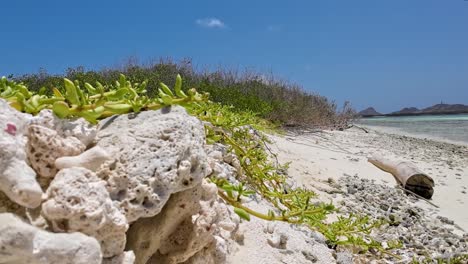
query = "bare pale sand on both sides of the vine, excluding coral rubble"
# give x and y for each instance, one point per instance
(320, 156)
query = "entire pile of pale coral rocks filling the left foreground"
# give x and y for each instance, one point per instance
(143, 169)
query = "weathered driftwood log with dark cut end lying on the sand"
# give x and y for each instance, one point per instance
(407, 174)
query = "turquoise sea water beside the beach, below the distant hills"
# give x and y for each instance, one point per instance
(453, 128)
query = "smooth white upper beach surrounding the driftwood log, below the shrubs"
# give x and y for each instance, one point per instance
(315, 157)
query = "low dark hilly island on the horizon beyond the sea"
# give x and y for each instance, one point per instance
(437, 109)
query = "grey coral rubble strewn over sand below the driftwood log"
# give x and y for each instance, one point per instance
(422, 236)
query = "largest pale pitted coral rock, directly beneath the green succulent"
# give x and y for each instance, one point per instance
(156, 153)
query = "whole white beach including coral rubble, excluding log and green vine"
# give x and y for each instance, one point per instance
(321, 160)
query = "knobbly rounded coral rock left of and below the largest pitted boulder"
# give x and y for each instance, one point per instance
(77, 200)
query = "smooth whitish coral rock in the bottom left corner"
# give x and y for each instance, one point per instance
(23, 243)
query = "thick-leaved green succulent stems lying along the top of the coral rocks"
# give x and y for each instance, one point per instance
(98, 101)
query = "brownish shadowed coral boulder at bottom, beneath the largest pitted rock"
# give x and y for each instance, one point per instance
(192, 222)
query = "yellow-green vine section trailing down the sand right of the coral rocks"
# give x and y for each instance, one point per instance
(242, 132)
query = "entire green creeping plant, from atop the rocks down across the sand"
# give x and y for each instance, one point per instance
(226, 126)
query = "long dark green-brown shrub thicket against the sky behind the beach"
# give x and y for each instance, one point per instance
(269, 97)
